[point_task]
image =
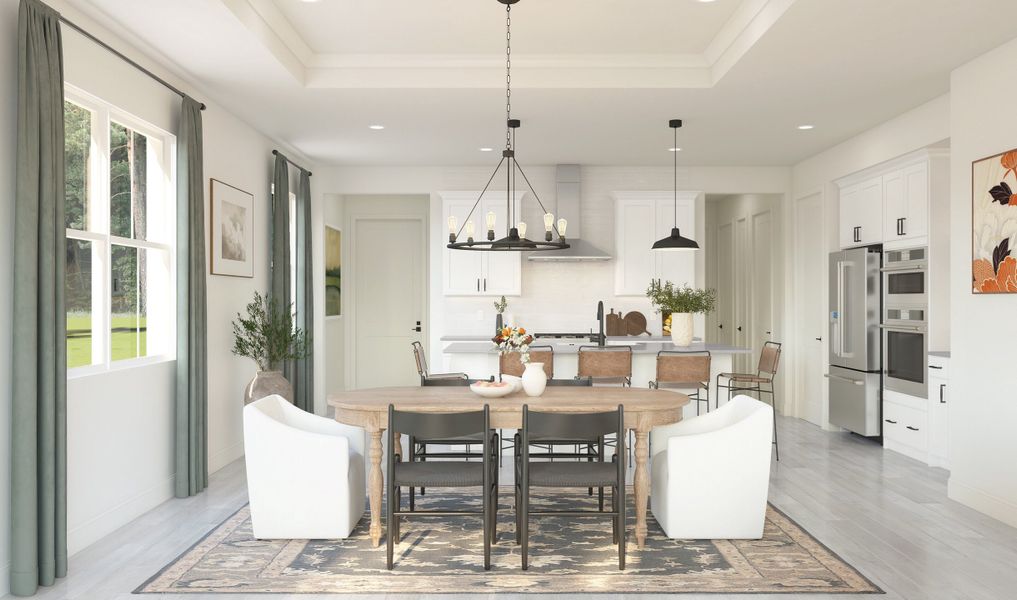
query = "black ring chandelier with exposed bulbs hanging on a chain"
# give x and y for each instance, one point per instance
(515, 239)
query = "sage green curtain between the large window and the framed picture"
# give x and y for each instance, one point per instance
(192, 408)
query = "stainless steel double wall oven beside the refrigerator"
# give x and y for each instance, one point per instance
(906, 329)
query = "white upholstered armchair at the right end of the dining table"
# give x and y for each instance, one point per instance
(711, 474)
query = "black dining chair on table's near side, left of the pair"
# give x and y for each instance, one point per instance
(442, 473)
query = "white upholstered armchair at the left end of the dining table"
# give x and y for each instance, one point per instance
(306, 474)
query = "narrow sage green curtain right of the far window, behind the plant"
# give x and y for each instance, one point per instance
(304, 370)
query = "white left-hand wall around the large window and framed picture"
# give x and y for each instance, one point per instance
(121, 425)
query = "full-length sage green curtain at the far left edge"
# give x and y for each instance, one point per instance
(39, 433)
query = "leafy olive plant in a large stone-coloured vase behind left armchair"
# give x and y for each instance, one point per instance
(267, 336)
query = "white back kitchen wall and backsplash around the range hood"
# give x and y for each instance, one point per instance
(556, 296)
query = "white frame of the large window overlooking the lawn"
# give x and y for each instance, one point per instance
(98, 233)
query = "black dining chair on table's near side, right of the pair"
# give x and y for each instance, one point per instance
(545, 474)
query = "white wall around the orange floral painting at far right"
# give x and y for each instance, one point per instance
(983, 411)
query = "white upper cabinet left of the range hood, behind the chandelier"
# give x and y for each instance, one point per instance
(467, 273)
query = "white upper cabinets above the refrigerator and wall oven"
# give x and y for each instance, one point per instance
(889, 204)
